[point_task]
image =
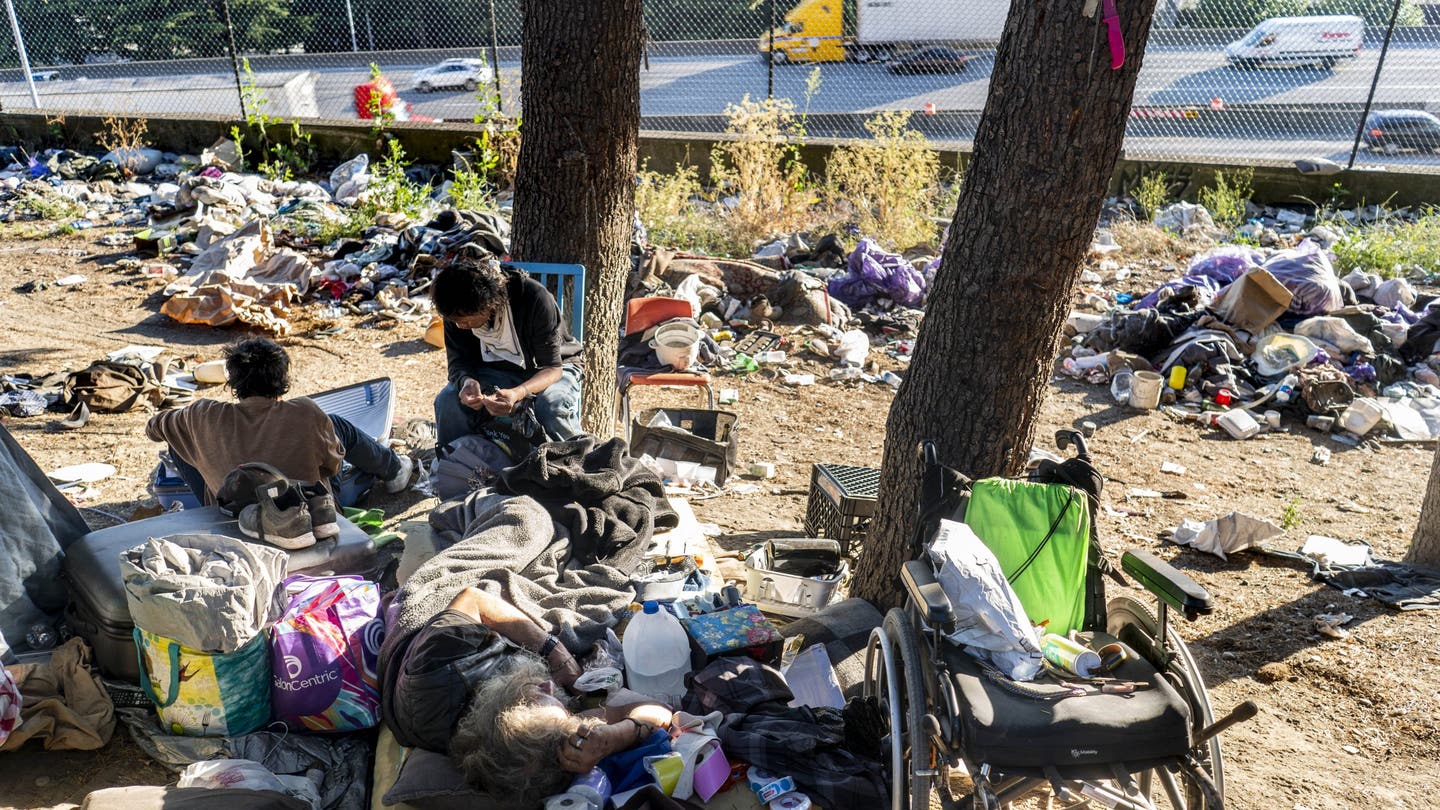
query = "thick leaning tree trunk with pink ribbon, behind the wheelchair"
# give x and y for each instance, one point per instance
(1045, 152)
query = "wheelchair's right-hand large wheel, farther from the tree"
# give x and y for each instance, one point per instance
(1199, 782)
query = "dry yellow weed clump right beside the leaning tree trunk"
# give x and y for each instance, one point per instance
(891, 182)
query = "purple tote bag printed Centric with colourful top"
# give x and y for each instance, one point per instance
(325, 655)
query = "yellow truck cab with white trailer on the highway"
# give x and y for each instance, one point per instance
(814, 31)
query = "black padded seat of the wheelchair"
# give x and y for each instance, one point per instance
(1017, 733)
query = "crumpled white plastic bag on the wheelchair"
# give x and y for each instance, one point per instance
(990, 620)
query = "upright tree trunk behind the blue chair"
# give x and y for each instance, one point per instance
(575, 185)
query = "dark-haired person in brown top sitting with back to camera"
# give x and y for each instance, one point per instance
(210, 439)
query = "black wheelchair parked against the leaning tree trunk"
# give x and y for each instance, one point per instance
(1140, 742)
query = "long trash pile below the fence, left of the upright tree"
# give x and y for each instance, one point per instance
(241, 249)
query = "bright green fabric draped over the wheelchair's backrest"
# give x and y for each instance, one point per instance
(1040, 534)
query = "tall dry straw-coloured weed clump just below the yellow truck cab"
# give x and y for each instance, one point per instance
(761, 171)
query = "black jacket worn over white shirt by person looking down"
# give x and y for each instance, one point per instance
(545, 341)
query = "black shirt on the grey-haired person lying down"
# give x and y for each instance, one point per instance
(428, 682)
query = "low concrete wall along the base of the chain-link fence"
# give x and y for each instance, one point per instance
(433, 143)
